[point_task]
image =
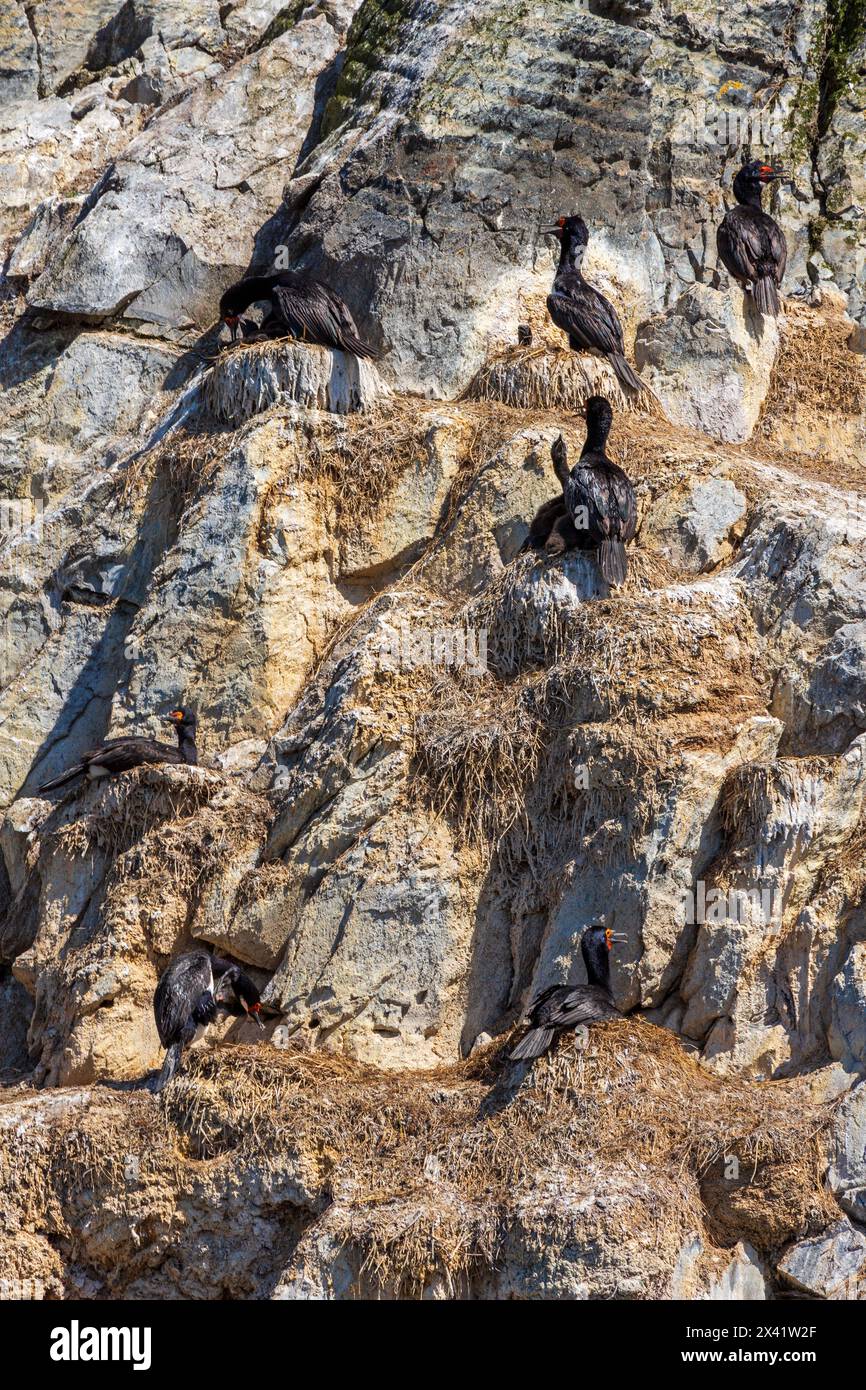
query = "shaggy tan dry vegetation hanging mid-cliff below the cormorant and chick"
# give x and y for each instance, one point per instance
(668, 668)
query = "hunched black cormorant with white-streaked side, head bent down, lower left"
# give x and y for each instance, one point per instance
(191, 995)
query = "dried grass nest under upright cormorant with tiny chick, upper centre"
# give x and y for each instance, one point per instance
(544, 379)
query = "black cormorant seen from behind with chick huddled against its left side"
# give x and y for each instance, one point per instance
(601, 502)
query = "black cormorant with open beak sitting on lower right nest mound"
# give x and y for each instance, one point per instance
(569, 1006)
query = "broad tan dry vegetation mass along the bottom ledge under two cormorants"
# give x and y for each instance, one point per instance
(427, 1171)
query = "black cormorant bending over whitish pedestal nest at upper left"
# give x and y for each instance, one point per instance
(301, 306)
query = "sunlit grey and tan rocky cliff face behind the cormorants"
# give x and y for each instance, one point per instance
(430, 760)
